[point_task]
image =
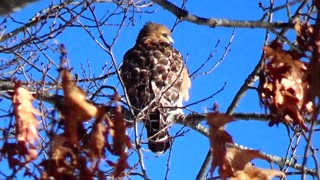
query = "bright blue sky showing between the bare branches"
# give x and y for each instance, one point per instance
(197, 42)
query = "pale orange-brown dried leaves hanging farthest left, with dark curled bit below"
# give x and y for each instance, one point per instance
(25, 129)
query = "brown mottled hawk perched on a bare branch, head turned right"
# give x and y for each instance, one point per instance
(156, 82)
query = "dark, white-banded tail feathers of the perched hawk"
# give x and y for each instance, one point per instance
(159, 139)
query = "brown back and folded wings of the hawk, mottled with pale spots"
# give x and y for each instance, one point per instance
(155, 73)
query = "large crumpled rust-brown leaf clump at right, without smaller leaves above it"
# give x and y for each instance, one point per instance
(283, 86)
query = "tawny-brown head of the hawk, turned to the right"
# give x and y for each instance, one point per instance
(156, 32)
